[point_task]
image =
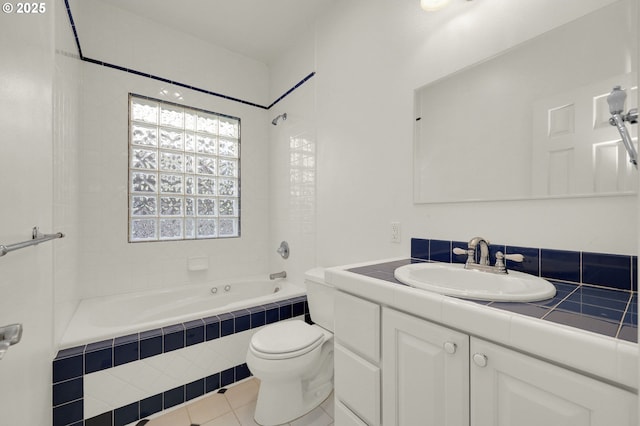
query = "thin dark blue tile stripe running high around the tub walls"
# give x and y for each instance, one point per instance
(173, 82)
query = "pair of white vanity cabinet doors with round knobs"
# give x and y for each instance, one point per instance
(431, 375)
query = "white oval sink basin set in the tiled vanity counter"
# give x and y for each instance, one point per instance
(452, 279)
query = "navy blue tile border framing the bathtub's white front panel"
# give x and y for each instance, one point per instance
(71, 365)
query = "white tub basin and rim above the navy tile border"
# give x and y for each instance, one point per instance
(102, 318)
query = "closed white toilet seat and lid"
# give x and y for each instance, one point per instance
(287, 339)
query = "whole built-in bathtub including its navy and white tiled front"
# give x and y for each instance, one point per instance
(126, 357)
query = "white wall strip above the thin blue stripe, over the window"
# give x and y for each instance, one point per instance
(118, 37)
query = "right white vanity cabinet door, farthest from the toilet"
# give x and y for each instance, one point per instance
(510, 388)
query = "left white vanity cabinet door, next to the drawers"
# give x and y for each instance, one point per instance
(425, 371)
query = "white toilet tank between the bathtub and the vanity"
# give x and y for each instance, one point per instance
(321, 297)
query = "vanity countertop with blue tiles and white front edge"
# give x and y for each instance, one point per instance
(586, 328)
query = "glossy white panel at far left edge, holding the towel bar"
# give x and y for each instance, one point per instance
(26, 172)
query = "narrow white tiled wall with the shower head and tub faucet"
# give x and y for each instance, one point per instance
(293, 186)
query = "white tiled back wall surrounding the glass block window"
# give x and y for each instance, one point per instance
(108, 263)
